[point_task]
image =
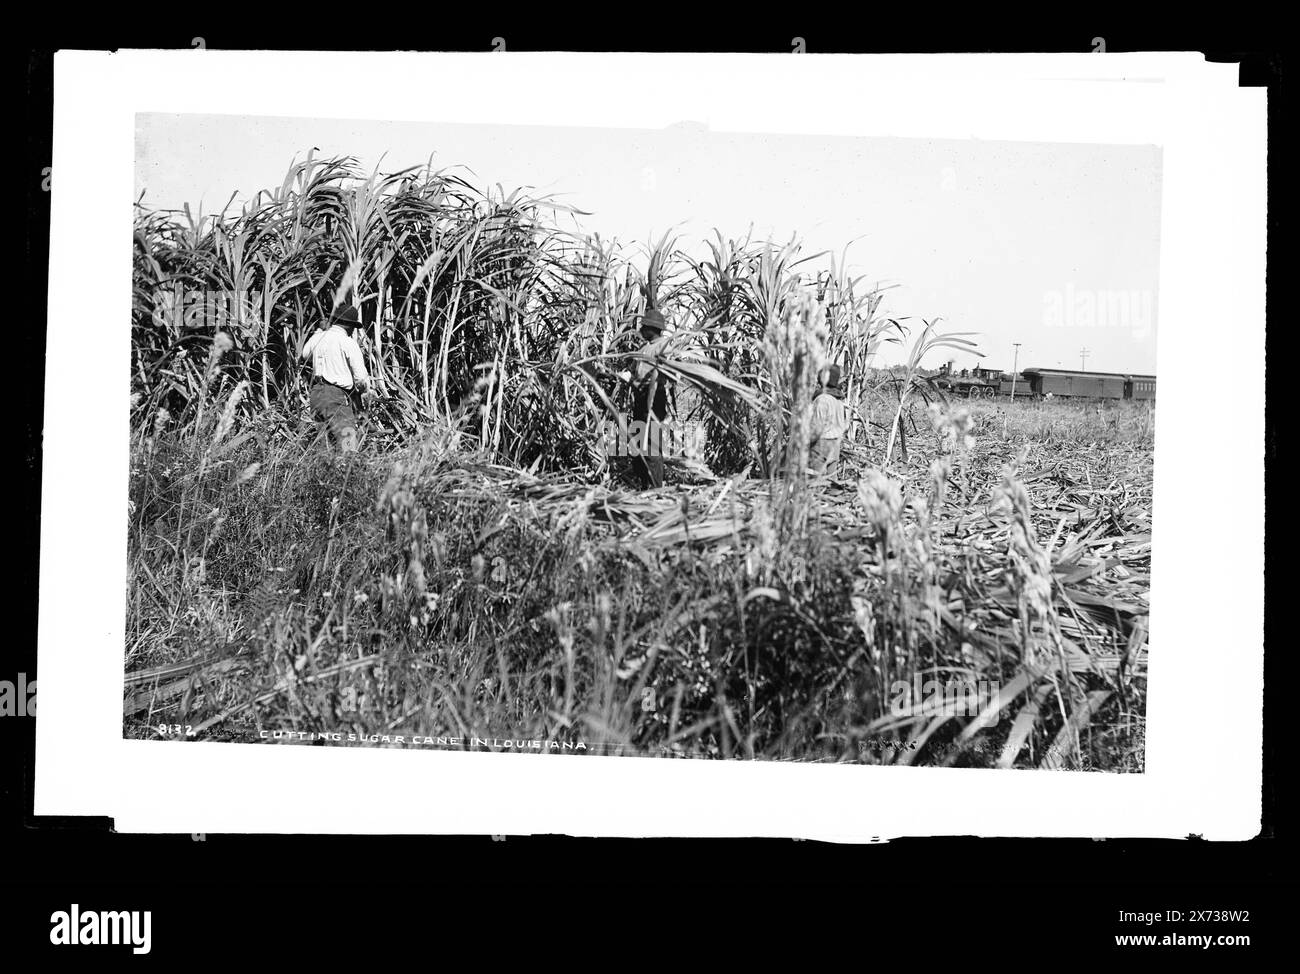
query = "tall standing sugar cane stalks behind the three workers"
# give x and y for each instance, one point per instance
(479, 308)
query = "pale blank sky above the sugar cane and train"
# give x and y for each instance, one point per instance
(1052, 246)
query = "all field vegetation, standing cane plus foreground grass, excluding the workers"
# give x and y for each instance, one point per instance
(473, 570)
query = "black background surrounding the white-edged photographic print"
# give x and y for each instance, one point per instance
(331, 898)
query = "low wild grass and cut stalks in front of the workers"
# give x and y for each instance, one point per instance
(424, 591)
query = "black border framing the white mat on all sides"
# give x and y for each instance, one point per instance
(1020, 893)
